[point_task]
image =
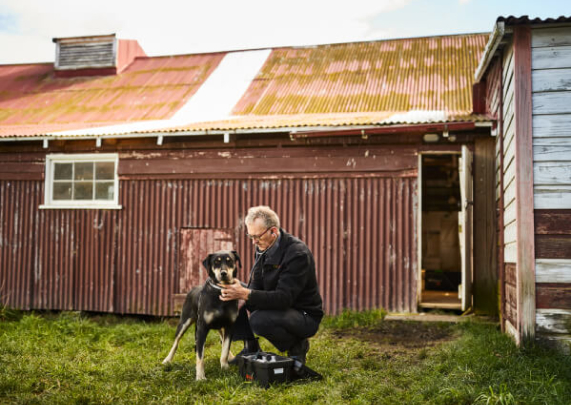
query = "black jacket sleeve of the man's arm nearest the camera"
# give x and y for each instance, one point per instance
(292, 278)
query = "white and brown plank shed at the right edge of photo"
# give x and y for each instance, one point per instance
(526, 73)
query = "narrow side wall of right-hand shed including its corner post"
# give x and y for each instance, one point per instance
(515, 189)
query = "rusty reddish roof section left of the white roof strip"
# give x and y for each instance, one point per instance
(149, 89)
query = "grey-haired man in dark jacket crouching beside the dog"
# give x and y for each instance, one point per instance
(282, 294)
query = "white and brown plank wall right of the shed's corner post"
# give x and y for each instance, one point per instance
(551, 78)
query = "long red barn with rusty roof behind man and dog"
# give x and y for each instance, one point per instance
(119, 172)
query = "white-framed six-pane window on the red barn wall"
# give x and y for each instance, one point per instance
(82, 181)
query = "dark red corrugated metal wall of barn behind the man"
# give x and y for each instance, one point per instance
(362, 231)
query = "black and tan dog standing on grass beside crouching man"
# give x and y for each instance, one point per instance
(204, 308)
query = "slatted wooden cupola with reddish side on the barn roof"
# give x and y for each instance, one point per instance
(100, 55)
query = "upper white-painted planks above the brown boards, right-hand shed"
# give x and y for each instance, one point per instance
(551, 97)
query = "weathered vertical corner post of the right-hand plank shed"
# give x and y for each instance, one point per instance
(524, 185)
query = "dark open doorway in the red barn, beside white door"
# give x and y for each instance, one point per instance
(441, 232)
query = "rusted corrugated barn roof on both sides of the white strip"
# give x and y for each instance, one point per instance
(367, 83)
